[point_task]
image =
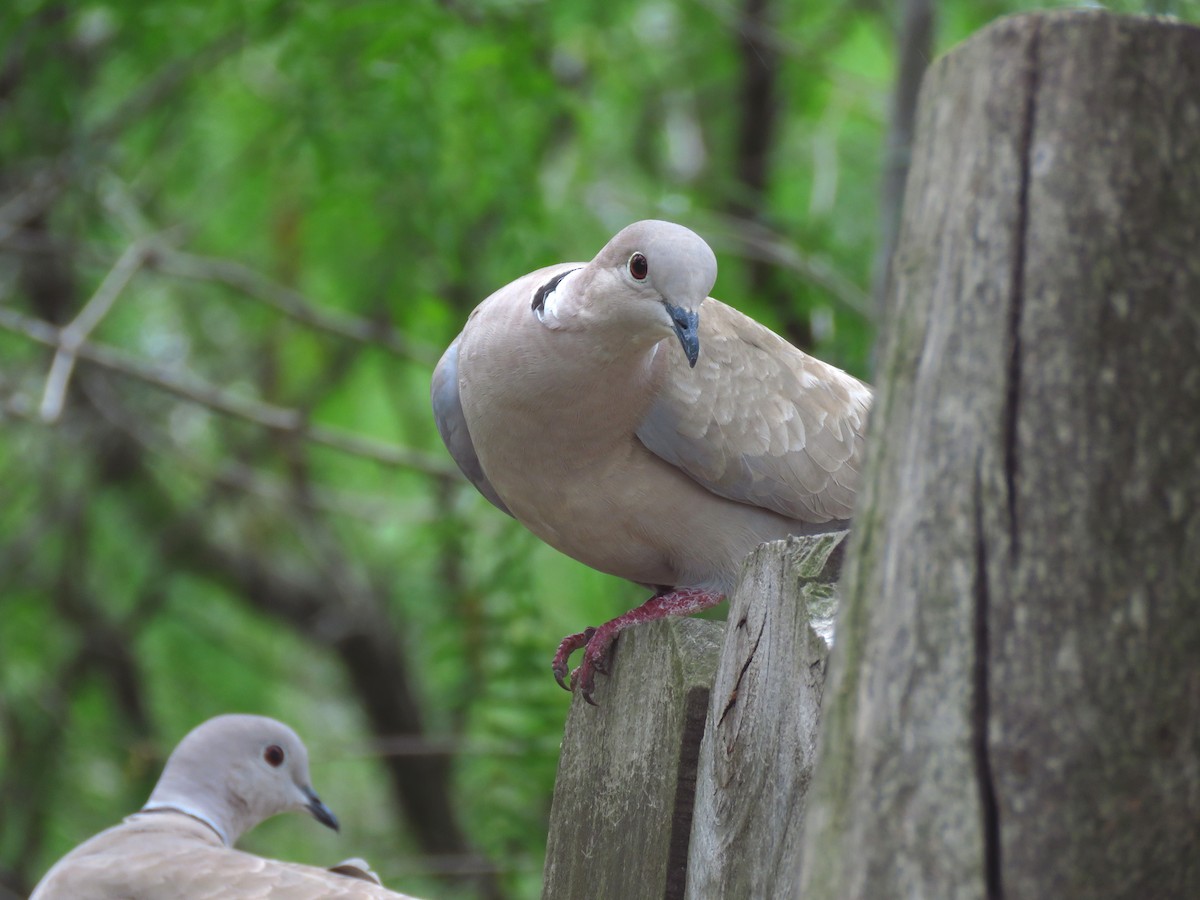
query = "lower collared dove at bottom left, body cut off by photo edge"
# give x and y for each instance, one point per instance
(225, 778)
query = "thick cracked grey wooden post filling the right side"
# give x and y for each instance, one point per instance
(1015, 698)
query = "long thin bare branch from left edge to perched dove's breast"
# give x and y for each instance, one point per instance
(267, 416)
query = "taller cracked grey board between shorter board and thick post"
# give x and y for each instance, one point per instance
(761, 741)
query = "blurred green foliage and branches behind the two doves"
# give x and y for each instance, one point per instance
(382, 167)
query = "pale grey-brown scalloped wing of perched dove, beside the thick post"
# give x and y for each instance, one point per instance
(761, 423)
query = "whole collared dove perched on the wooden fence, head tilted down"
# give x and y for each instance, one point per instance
(645, 429)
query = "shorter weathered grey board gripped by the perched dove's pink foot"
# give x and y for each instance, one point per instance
(627, 775)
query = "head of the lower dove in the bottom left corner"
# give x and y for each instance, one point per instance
(237, 771)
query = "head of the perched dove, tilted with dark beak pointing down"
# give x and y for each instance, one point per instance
(653, 278)
